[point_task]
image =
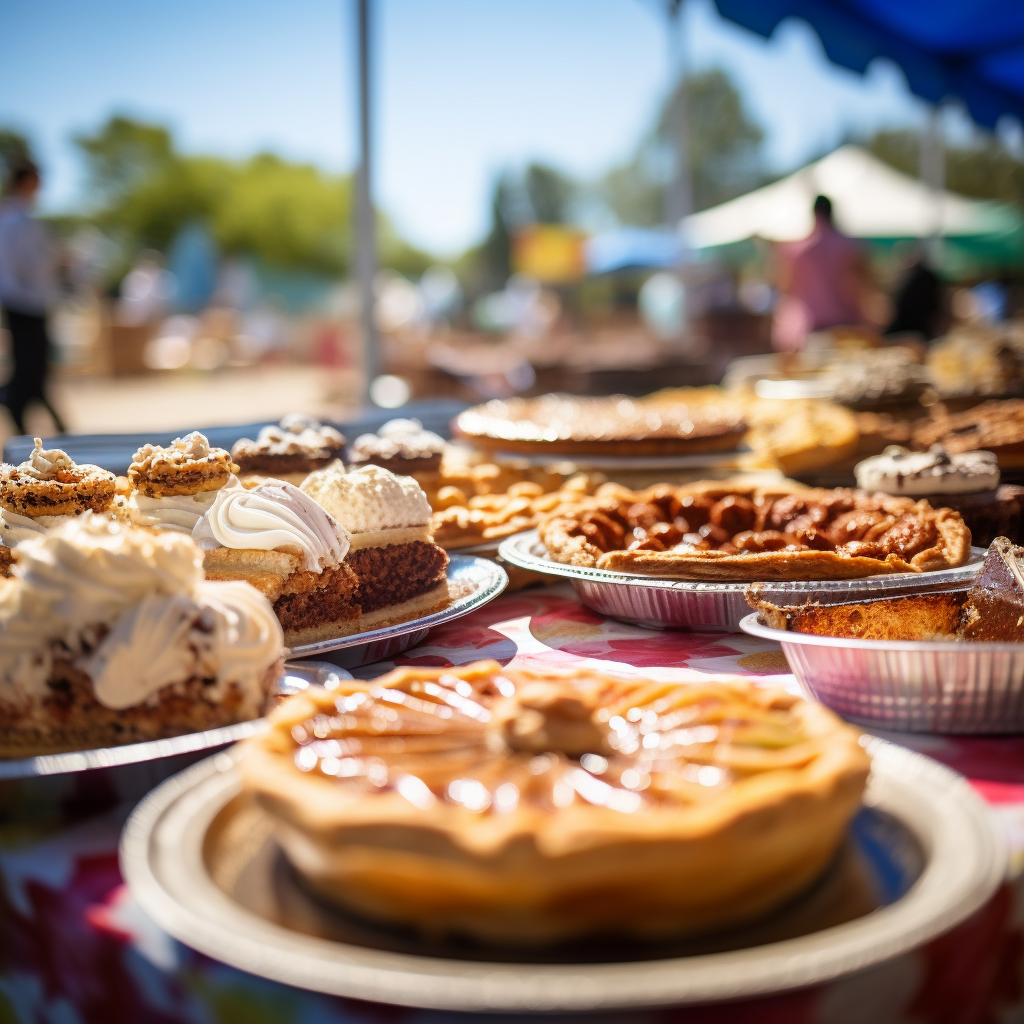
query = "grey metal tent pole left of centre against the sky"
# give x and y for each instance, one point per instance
(366, 241)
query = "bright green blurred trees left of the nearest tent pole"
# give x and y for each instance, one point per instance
(290, 217)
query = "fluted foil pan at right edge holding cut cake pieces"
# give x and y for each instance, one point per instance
(909, 686)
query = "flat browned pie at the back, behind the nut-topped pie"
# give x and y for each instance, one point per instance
(559, 424)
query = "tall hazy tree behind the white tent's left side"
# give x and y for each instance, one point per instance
(724, 154)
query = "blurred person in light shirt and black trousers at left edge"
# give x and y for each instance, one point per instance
(28, 290)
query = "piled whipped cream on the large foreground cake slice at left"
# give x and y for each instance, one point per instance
(132, 610)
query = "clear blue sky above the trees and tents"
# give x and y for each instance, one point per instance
(465, 88)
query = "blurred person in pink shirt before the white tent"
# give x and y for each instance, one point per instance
(824, 283)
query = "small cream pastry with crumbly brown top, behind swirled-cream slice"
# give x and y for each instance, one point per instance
(174, 488)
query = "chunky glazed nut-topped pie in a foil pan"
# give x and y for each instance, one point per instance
(726, 532)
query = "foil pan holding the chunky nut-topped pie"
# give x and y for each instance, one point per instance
(686, 605)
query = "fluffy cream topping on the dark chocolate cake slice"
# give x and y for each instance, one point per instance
(369, 499)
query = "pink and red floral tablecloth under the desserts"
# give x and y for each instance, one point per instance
(76, 950)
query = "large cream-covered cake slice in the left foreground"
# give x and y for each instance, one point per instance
(109, 635)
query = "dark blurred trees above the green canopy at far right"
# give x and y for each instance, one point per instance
(985, 170)
